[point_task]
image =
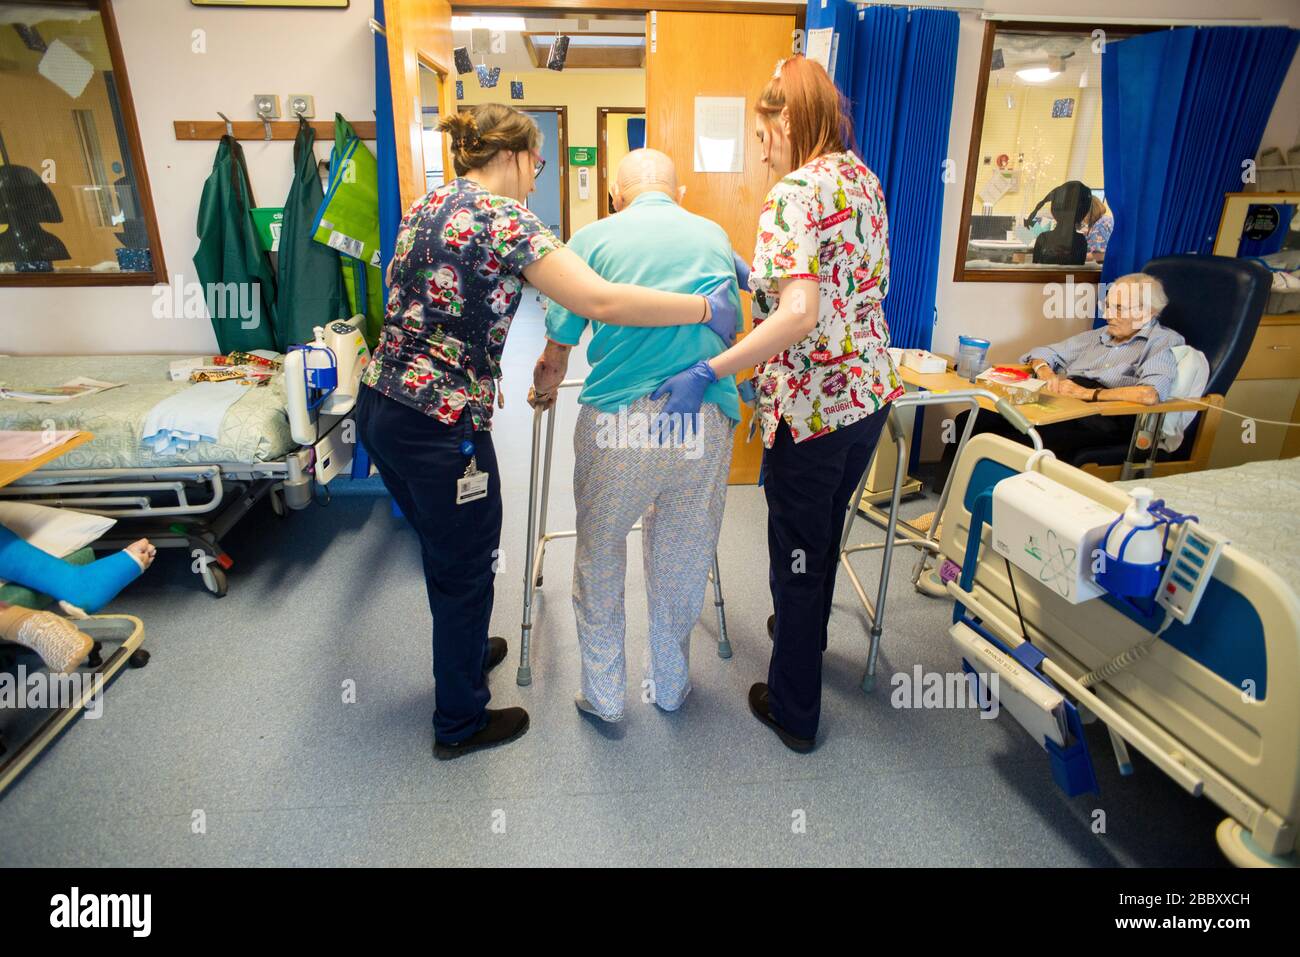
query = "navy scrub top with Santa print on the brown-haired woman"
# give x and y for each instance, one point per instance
(454, 285)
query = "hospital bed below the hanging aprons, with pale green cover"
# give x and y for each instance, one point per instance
(190, 500)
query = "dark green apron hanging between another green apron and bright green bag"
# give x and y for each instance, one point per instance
(310, 283)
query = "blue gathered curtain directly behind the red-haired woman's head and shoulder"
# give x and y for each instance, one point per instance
(898, 67)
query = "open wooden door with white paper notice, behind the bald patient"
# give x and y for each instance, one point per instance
(716, 55)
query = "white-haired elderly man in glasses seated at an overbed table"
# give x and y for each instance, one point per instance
(1130, 360)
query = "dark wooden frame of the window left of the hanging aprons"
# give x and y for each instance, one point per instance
(145, 194)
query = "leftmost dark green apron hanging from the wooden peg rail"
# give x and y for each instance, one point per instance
(231, 263)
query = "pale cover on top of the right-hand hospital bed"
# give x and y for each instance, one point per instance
(1255, 506)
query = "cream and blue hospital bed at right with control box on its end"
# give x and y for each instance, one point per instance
(1216, 704)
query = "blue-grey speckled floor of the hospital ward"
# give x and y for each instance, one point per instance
(240, 724)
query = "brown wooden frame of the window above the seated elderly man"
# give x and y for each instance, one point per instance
(1011, 275)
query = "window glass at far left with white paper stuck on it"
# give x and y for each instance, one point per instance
(68, 190)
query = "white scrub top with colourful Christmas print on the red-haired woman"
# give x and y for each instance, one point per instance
(826, 222)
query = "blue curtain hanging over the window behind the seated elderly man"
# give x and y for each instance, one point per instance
(1181, 111)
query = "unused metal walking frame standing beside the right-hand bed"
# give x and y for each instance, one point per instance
(925, 543)
